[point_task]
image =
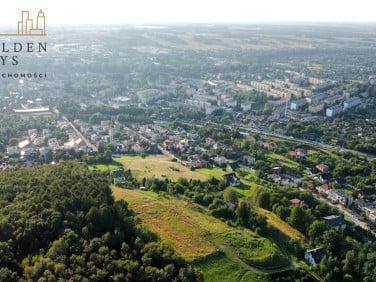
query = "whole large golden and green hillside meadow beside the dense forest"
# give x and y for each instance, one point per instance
(197, 235)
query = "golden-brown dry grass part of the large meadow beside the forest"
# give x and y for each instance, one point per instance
(176, 221)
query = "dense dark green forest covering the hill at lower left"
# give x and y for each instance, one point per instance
(61, 223)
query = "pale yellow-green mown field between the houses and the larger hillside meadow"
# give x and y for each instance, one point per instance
(156, 166)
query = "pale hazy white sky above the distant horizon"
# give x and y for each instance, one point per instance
(65, 12)
